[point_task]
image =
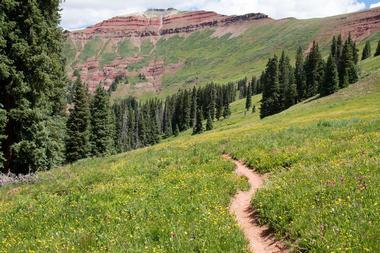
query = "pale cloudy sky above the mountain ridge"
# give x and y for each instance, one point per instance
(78, 14)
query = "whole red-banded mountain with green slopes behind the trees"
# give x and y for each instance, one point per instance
(162, 50)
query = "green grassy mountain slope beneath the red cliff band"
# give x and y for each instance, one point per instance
(204, 56)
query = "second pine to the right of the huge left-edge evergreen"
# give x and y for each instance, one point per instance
(101, 124)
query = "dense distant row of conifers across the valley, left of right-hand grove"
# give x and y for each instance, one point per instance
(143, 124)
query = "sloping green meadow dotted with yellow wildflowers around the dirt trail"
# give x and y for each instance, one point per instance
(323, 194)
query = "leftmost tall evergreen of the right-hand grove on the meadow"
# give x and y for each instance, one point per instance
(271, 91)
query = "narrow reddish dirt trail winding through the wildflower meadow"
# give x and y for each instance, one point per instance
(260, 238)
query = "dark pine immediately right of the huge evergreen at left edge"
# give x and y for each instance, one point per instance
(78, 125)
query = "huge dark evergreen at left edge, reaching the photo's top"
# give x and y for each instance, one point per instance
(32, 77)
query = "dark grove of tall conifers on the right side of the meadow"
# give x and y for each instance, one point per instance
(285, 85)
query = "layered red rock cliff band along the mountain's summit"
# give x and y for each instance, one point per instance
(142, 26)
